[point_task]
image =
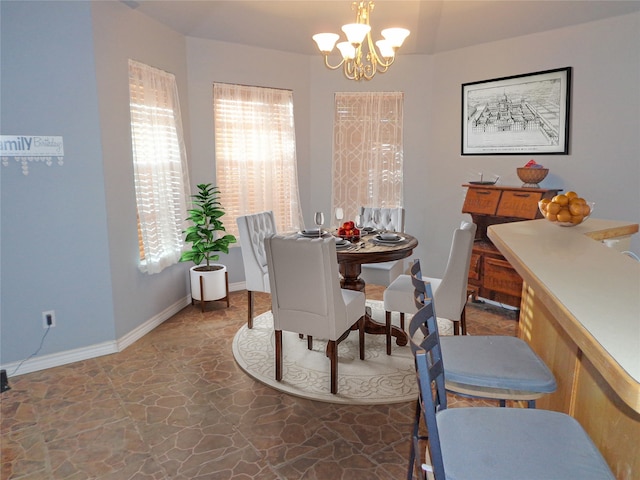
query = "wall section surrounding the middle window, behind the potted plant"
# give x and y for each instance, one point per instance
(210, 61)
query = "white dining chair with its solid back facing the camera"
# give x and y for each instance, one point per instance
(306, 297)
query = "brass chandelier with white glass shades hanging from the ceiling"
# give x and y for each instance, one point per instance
(359, 63)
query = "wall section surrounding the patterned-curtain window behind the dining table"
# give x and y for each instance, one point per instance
(411, 75)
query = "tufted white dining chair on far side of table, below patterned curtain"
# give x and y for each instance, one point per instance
(391, 219)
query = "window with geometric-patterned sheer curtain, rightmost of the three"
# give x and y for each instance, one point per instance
(367, 151)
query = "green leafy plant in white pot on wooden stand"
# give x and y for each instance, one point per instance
(208, 281)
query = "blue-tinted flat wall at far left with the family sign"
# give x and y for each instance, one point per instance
(55, 252)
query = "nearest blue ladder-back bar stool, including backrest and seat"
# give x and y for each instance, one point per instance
(480, 443)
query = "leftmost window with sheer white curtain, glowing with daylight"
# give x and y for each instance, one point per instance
(160, 166)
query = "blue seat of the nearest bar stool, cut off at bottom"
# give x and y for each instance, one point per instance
(485, 443)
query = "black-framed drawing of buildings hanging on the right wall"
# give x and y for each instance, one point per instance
(517, 115)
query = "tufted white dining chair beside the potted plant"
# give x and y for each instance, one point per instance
(252, 231)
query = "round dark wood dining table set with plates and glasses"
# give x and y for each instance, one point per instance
(370, 248)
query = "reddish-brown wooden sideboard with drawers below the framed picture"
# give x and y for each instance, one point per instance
(490, 274)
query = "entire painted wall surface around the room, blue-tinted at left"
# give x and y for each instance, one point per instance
(58, 220)
